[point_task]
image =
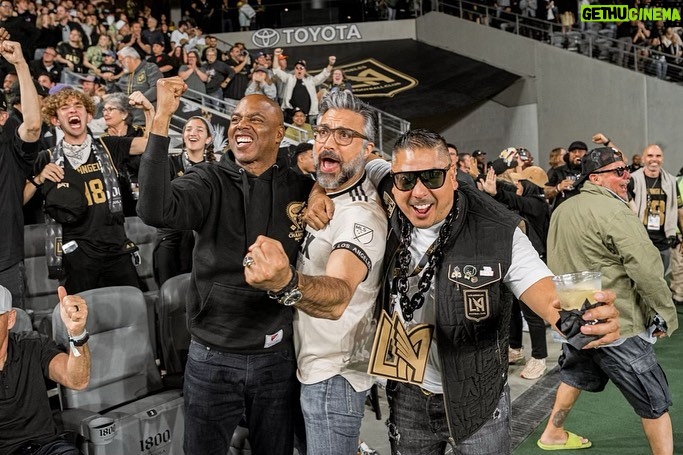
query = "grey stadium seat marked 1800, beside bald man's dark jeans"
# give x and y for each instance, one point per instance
(124, 408)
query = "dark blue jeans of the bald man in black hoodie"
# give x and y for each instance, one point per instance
(220, 388)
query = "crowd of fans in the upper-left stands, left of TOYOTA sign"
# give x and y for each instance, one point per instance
(77, 43)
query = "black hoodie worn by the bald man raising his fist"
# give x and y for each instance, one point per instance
(228, 208)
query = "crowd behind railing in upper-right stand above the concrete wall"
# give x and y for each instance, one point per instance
(649, 46)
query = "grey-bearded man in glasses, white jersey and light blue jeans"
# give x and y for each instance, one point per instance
(337, 279)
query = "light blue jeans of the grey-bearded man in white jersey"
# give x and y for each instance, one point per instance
(333, 411)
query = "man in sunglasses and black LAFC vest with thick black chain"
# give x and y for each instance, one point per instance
(459, 259)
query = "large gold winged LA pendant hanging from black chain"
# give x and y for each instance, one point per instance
(400, 354)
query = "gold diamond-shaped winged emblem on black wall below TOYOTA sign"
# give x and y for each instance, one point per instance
(370, 78)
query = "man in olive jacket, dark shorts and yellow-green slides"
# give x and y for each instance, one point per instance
(597, 231)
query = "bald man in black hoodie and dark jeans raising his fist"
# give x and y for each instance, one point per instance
(241, 359)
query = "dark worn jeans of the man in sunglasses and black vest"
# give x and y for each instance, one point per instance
(418, 425)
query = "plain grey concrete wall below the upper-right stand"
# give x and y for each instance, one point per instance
(575, 96)
